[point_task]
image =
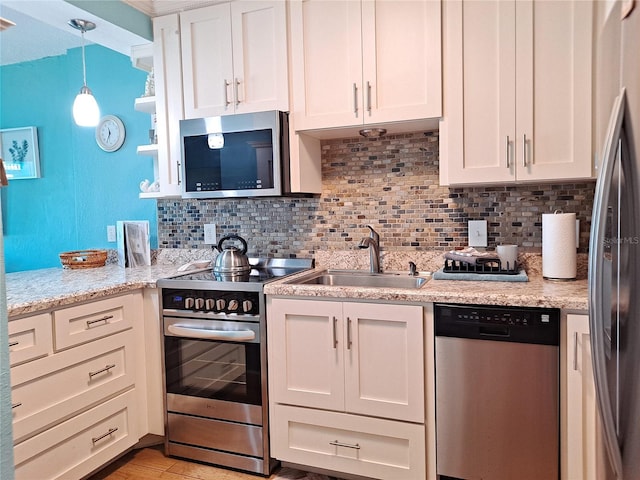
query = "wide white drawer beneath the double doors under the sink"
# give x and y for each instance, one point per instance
(370, 447)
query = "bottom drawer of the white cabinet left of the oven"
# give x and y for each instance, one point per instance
(80, 445)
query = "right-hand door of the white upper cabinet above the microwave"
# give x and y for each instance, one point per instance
(259, 38)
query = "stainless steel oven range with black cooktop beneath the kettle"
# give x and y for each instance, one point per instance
(214, 354)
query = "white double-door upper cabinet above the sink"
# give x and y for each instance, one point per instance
(364, 62)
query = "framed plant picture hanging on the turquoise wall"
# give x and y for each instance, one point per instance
(20, 152)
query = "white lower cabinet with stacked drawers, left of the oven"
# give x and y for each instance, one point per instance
(75, 402)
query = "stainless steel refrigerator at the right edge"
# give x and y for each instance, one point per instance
(614, 256)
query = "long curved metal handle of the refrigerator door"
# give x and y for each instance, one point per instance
(596, 285)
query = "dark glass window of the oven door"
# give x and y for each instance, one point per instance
(213, 369)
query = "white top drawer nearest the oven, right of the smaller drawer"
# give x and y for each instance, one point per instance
(84, 323)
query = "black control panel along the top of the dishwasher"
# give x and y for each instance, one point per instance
(511, 324)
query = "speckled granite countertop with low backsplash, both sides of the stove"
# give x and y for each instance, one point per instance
(38, 290)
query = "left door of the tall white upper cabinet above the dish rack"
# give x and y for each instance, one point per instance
(478, 128)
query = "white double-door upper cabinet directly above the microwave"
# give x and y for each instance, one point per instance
(234, 58)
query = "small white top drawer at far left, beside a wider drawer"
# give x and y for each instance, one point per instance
(30, 338)
